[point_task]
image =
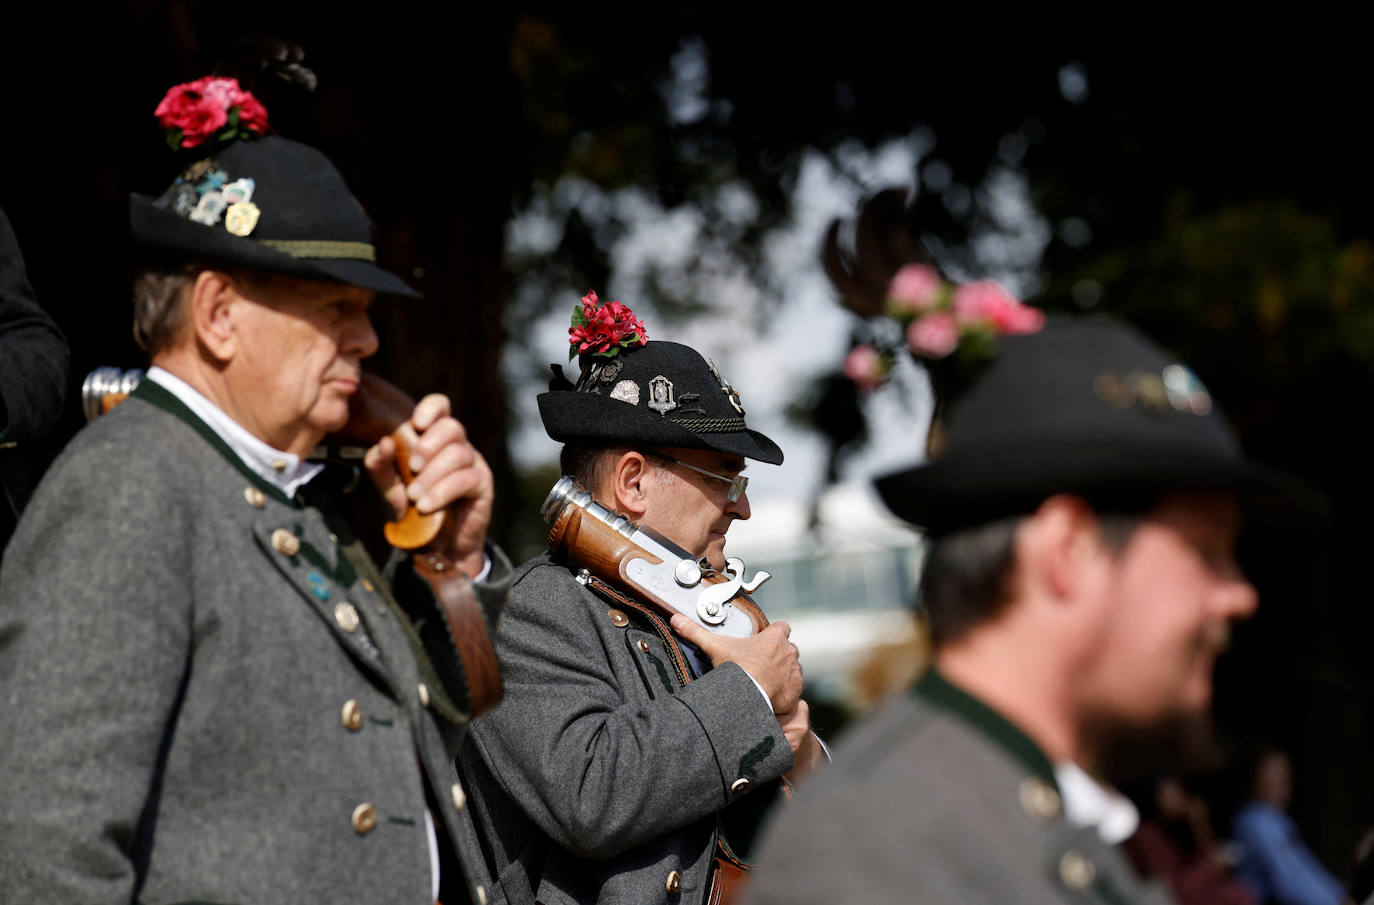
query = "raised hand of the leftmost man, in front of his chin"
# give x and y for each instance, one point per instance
(447, 473)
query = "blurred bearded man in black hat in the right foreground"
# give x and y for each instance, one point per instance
(1079, 583)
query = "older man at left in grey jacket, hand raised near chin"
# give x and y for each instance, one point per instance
(210, 691)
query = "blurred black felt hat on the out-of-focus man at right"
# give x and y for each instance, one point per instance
(1082, 407)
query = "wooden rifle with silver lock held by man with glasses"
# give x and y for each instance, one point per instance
(648, 566)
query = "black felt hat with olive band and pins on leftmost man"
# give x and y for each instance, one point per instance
(270, 205)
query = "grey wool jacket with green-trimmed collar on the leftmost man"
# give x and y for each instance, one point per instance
(210, 694)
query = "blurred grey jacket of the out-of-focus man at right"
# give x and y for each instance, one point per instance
(939, 801)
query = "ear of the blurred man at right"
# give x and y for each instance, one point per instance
(1059, 546)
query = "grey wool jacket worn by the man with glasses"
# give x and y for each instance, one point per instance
(608, 775)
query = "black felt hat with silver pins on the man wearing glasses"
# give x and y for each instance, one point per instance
(659, 395)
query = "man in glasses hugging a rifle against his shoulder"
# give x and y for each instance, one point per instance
(631, 753)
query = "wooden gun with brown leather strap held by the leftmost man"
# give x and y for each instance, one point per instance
(377, 411)
